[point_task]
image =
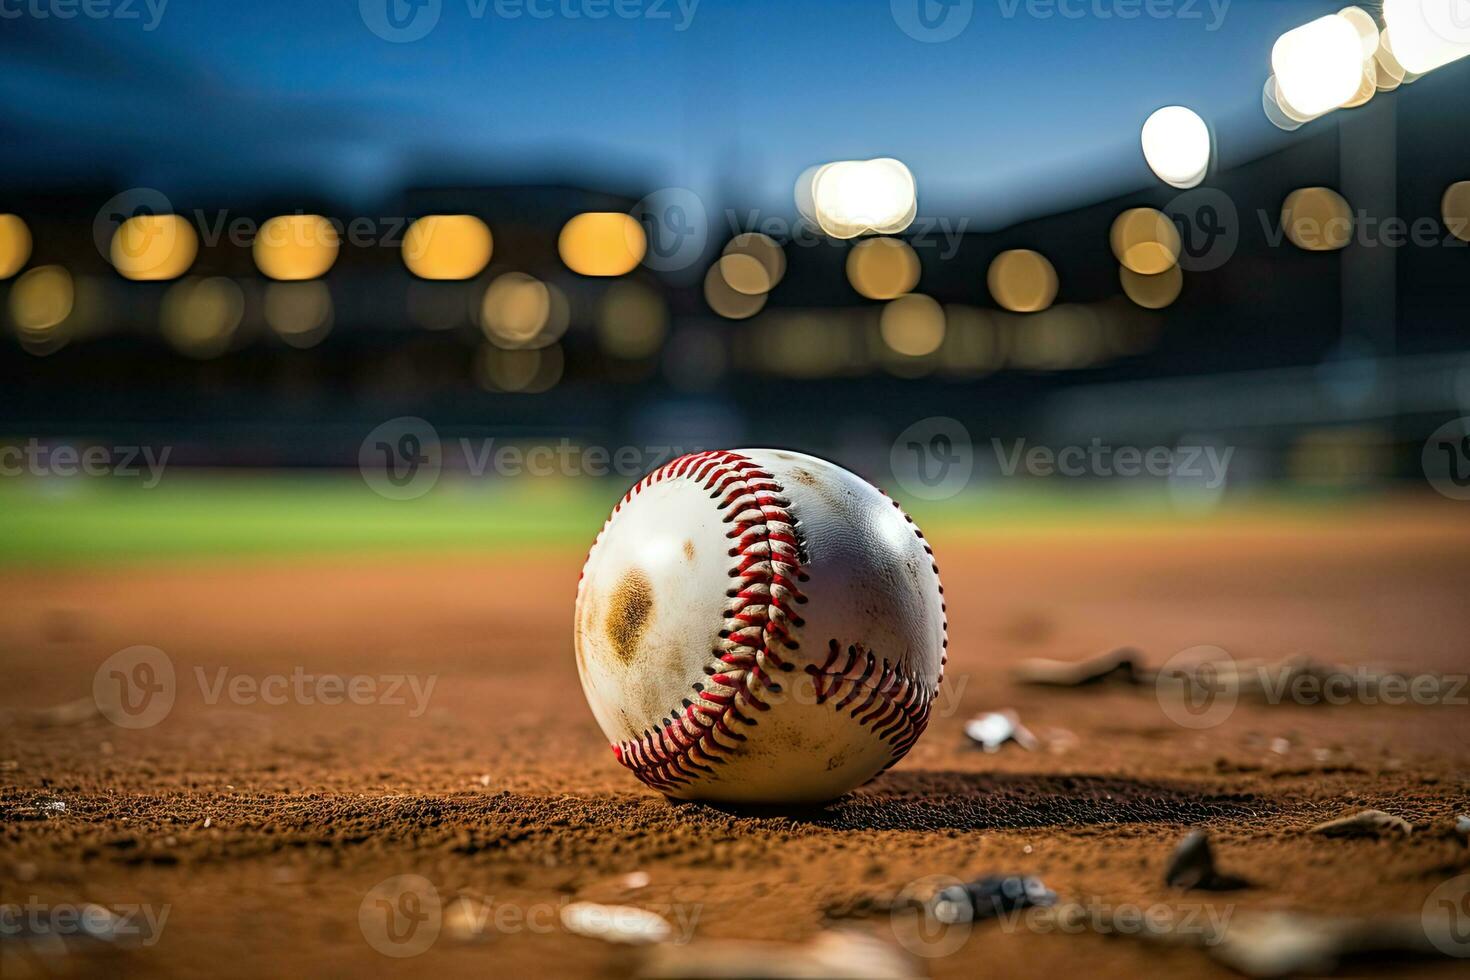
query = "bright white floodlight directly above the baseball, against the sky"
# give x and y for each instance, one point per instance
(856, 198)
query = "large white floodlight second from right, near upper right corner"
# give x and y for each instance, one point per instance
(1319, 65)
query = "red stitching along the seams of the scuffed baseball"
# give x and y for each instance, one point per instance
(761, 619)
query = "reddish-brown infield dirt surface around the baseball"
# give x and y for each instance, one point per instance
(264, 828)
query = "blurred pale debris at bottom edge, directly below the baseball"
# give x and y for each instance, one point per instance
(831, 954)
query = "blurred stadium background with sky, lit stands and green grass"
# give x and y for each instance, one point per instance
(212, 246)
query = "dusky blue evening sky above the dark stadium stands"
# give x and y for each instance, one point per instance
(1033, 107)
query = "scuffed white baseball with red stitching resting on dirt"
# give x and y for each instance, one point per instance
(759, 627)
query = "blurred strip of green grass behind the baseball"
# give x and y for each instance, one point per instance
(305, 514)
